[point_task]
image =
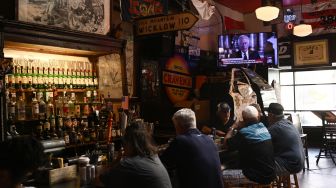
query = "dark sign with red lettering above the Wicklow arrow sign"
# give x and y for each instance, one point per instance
(133, 9)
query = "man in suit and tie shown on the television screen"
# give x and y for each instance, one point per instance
(244, 51)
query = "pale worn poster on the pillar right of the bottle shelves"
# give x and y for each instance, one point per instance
(110, 79)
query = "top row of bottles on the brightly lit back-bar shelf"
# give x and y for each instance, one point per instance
(47, 76)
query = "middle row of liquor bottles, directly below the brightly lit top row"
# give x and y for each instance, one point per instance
(23, 106)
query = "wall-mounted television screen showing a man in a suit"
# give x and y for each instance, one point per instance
(248, 48)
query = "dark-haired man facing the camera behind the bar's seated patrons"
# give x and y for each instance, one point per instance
(223, 122)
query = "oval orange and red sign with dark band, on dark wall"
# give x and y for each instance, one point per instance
(177, 79)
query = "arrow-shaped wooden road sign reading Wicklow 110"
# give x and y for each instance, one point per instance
(160, 24)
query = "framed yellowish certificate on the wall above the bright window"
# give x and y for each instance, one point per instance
(311, 53)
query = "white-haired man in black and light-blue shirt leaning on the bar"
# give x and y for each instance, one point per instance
(254, 144)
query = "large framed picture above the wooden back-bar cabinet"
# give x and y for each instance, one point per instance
(91, 16)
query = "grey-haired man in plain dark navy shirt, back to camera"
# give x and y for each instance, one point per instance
(192, 154)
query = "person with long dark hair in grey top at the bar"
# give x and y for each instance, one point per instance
(141, 166)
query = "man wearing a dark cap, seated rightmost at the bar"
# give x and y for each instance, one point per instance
(287, 144)
